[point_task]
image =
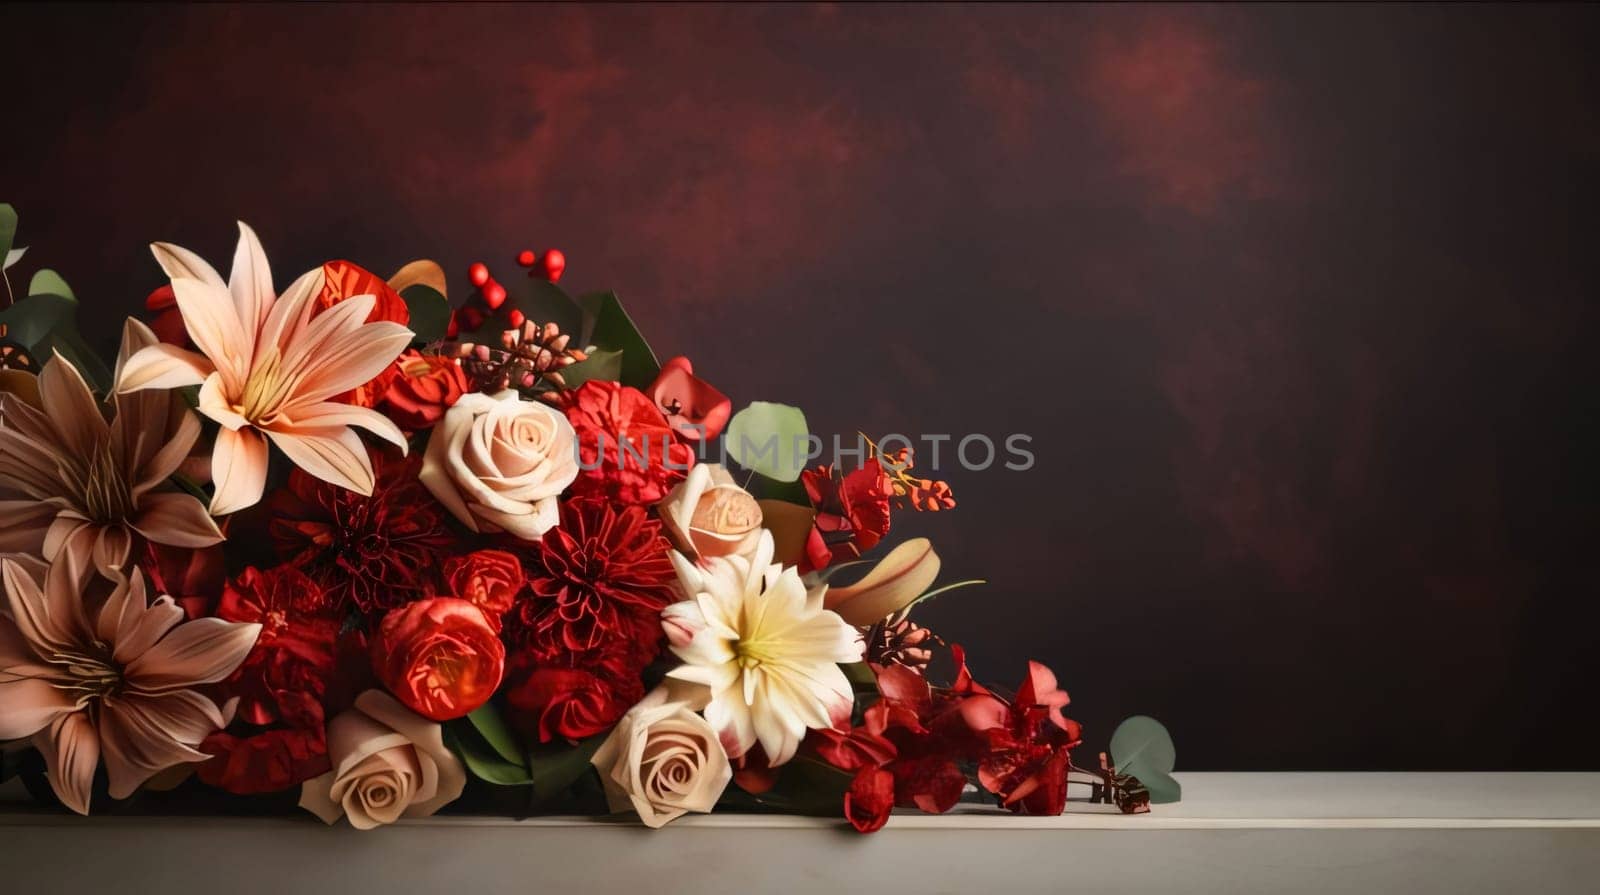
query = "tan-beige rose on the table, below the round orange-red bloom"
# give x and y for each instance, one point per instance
(388, 763)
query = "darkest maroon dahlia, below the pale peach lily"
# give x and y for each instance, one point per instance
(377, 552)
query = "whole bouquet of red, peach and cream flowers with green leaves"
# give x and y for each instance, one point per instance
(385, 555)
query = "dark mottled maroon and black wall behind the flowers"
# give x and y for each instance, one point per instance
(1297, 303)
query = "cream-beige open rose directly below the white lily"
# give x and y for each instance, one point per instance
(663, 761)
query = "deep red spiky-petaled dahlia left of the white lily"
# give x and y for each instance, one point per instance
(599, 579)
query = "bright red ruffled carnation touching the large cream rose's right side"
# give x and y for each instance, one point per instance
(626, 447)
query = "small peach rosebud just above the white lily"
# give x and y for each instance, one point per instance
(708, 515)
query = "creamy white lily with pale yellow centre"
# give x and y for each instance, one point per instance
(766, 648)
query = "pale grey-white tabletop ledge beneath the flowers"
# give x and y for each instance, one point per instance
(1231, 833)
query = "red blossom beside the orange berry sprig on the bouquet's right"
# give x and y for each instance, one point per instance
(852, 513)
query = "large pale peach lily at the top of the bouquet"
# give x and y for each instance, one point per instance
(270, 369)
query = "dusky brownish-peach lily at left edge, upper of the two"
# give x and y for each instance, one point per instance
(71, 478)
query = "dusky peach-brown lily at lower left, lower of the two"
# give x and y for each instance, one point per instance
(116, 686)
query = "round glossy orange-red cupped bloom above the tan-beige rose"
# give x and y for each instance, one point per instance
(439, 657)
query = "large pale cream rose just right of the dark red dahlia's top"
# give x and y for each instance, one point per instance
(500, 462)
